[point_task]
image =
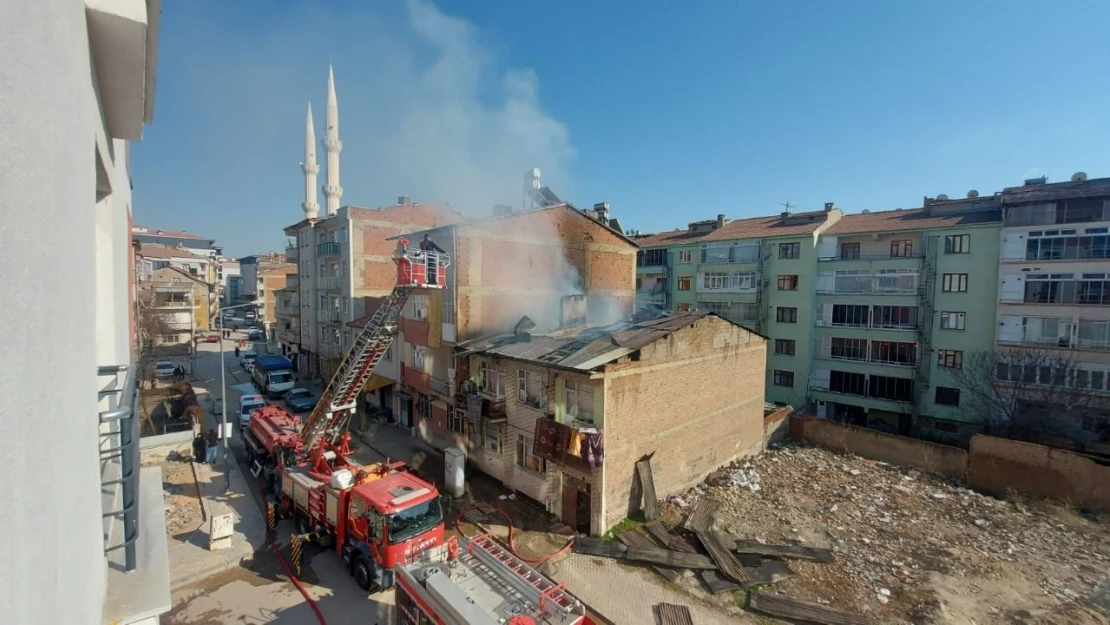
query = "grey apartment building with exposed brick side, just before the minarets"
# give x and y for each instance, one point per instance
(342, 260)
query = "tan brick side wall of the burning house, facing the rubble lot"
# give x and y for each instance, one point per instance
(692, 402)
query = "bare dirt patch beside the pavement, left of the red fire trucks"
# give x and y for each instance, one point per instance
(180, 492)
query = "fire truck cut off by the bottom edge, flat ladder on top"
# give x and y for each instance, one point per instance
(479, 582)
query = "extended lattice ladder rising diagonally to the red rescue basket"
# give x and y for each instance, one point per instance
(332, 416)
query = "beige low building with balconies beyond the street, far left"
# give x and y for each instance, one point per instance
(174, 305)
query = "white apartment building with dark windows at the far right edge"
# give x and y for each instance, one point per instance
(1054, 298)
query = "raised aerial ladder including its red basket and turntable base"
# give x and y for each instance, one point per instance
(326, 438)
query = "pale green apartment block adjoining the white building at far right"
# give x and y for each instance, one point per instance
(899, 304)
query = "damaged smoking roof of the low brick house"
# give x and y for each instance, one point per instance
(586, 349)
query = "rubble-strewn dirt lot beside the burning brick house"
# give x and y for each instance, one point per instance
(910, 548)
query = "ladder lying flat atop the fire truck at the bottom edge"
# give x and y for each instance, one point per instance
(549, 597)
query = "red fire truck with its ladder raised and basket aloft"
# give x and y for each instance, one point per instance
(376, 517)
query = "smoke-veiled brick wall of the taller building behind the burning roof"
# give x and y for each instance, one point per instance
(526, 264)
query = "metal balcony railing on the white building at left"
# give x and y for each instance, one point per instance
(119, 461)
